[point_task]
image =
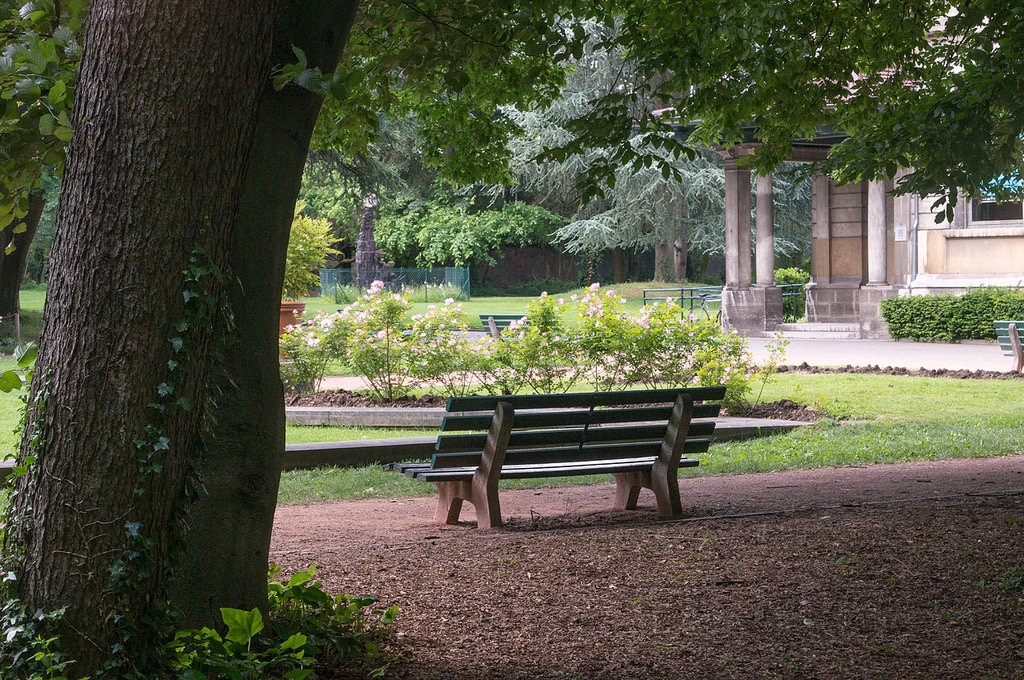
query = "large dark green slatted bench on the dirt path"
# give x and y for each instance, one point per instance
(638, 437)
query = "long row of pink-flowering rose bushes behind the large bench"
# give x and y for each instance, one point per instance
(660, 347)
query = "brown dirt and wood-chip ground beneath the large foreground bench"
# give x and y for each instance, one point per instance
(903, 572)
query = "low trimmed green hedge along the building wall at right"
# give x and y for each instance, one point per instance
(953, 318)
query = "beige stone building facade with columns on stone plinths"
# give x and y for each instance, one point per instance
(868, 245)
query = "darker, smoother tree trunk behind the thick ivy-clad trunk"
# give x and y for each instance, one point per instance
(229, 540)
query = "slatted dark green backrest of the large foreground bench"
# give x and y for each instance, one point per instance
(575, 428)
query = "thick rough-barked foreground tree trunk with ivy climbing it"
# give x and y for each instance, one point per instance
(165, 114)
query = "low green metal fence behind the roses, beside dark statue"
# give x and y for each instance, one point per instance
(428, 285)
